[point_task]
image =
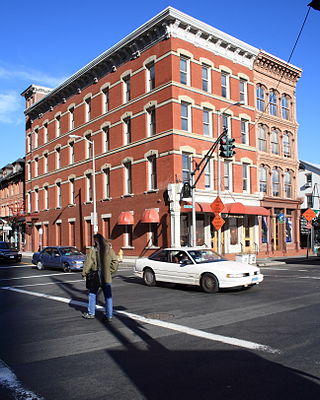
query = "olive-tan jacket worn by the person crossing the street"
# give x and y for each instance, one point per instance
(109, 264)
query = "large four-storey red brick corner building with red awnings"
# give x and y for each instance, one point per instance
(153, 105)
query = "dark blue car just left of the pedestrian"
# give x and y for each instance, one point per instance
(64, 257)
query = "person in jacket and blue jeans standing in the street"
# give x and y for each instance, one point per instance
(102, 258)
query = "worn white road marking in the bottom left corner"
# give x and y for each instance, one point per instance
(10, 382)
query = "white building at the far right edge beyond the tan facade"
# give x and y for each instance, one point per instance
(309, 191)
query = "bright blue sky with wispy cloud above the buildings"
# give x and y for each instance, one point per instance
(46, 42)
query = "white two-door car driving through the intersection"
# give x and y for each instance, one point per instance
(196, 266)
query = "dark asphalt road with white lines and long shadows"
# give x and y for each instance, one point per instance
(166, 342)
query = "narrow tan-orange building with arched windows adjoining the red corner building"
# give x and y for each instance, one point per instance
(278, 162)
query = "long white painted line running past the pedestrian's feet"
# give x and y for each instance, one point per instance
(163, 324)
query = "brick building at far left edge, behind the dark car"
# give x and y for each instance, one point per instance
(12, 203)
